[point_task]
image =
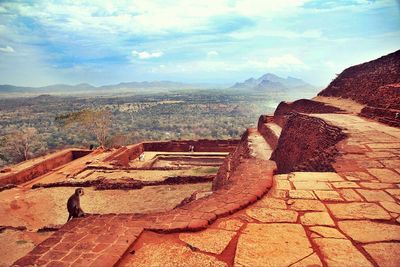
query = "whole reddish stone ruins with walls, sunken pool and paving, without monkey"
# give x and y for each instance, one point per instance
(315, 184)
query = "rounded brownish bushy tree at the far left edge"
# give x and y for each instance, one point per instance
(19, 144)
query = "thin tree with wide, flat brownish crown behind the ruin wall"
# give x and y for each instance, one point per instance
(97, 122)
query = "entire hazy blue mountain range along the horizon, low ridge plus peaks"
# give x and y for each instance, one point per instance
(267, 82)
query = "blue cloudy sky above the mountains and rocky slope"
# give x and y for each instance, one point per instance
(209, 41)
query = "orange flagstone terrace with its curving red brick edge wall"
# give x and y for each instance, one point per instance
(347, 218)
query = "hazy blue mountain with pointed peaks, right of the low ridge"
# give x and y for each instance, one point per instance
(272, 82)
